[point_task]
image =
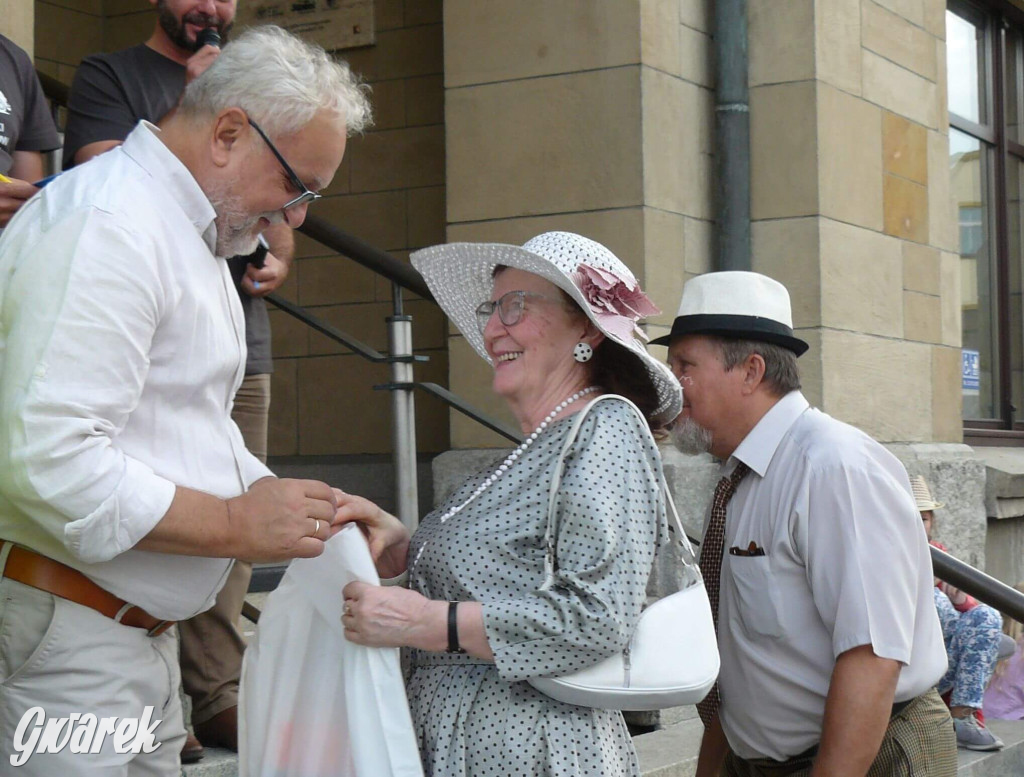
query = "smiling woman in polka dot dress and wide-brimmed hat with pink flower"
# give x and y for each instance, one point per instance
(558, 320)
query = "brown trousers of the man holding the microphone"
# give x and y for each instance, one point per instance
(211, 645)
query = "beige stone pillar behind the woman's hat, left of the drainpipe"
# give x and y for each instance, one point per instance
(590, 116)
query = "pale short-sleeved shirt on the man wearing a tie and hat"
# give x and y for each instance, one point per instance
(846, 564)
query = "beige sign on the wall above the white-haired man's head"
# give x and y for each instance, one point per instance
(332, 24)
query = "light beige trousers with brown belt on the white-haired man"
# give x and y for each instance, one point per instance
(70, 661)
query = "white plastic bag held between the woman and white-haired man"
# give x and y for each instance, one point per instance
(314, 705)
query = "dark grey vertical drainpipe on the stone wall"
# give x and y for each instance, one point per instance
(733, 128)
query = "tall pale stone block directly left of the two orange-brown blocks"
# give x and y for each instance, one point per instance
(849, 159)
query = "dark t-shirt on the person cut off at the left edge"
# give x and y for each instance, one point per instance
(26, 124)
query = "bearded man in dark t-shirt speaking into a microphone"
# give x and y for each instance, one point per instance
(111, 94)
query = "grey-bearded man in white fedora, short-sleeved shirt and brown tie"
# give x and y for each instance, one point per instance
(816, 562)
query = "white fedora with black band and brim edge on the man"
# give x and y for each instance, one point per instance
(737, 305)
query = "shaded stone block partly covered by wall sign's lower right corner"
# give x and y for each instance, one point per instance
(401, 54)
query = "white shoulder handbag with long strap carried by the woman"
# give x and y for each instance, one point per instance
(672, 658)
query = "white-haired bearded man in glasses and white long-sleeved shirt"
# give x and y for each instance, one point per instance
(125, 488)
